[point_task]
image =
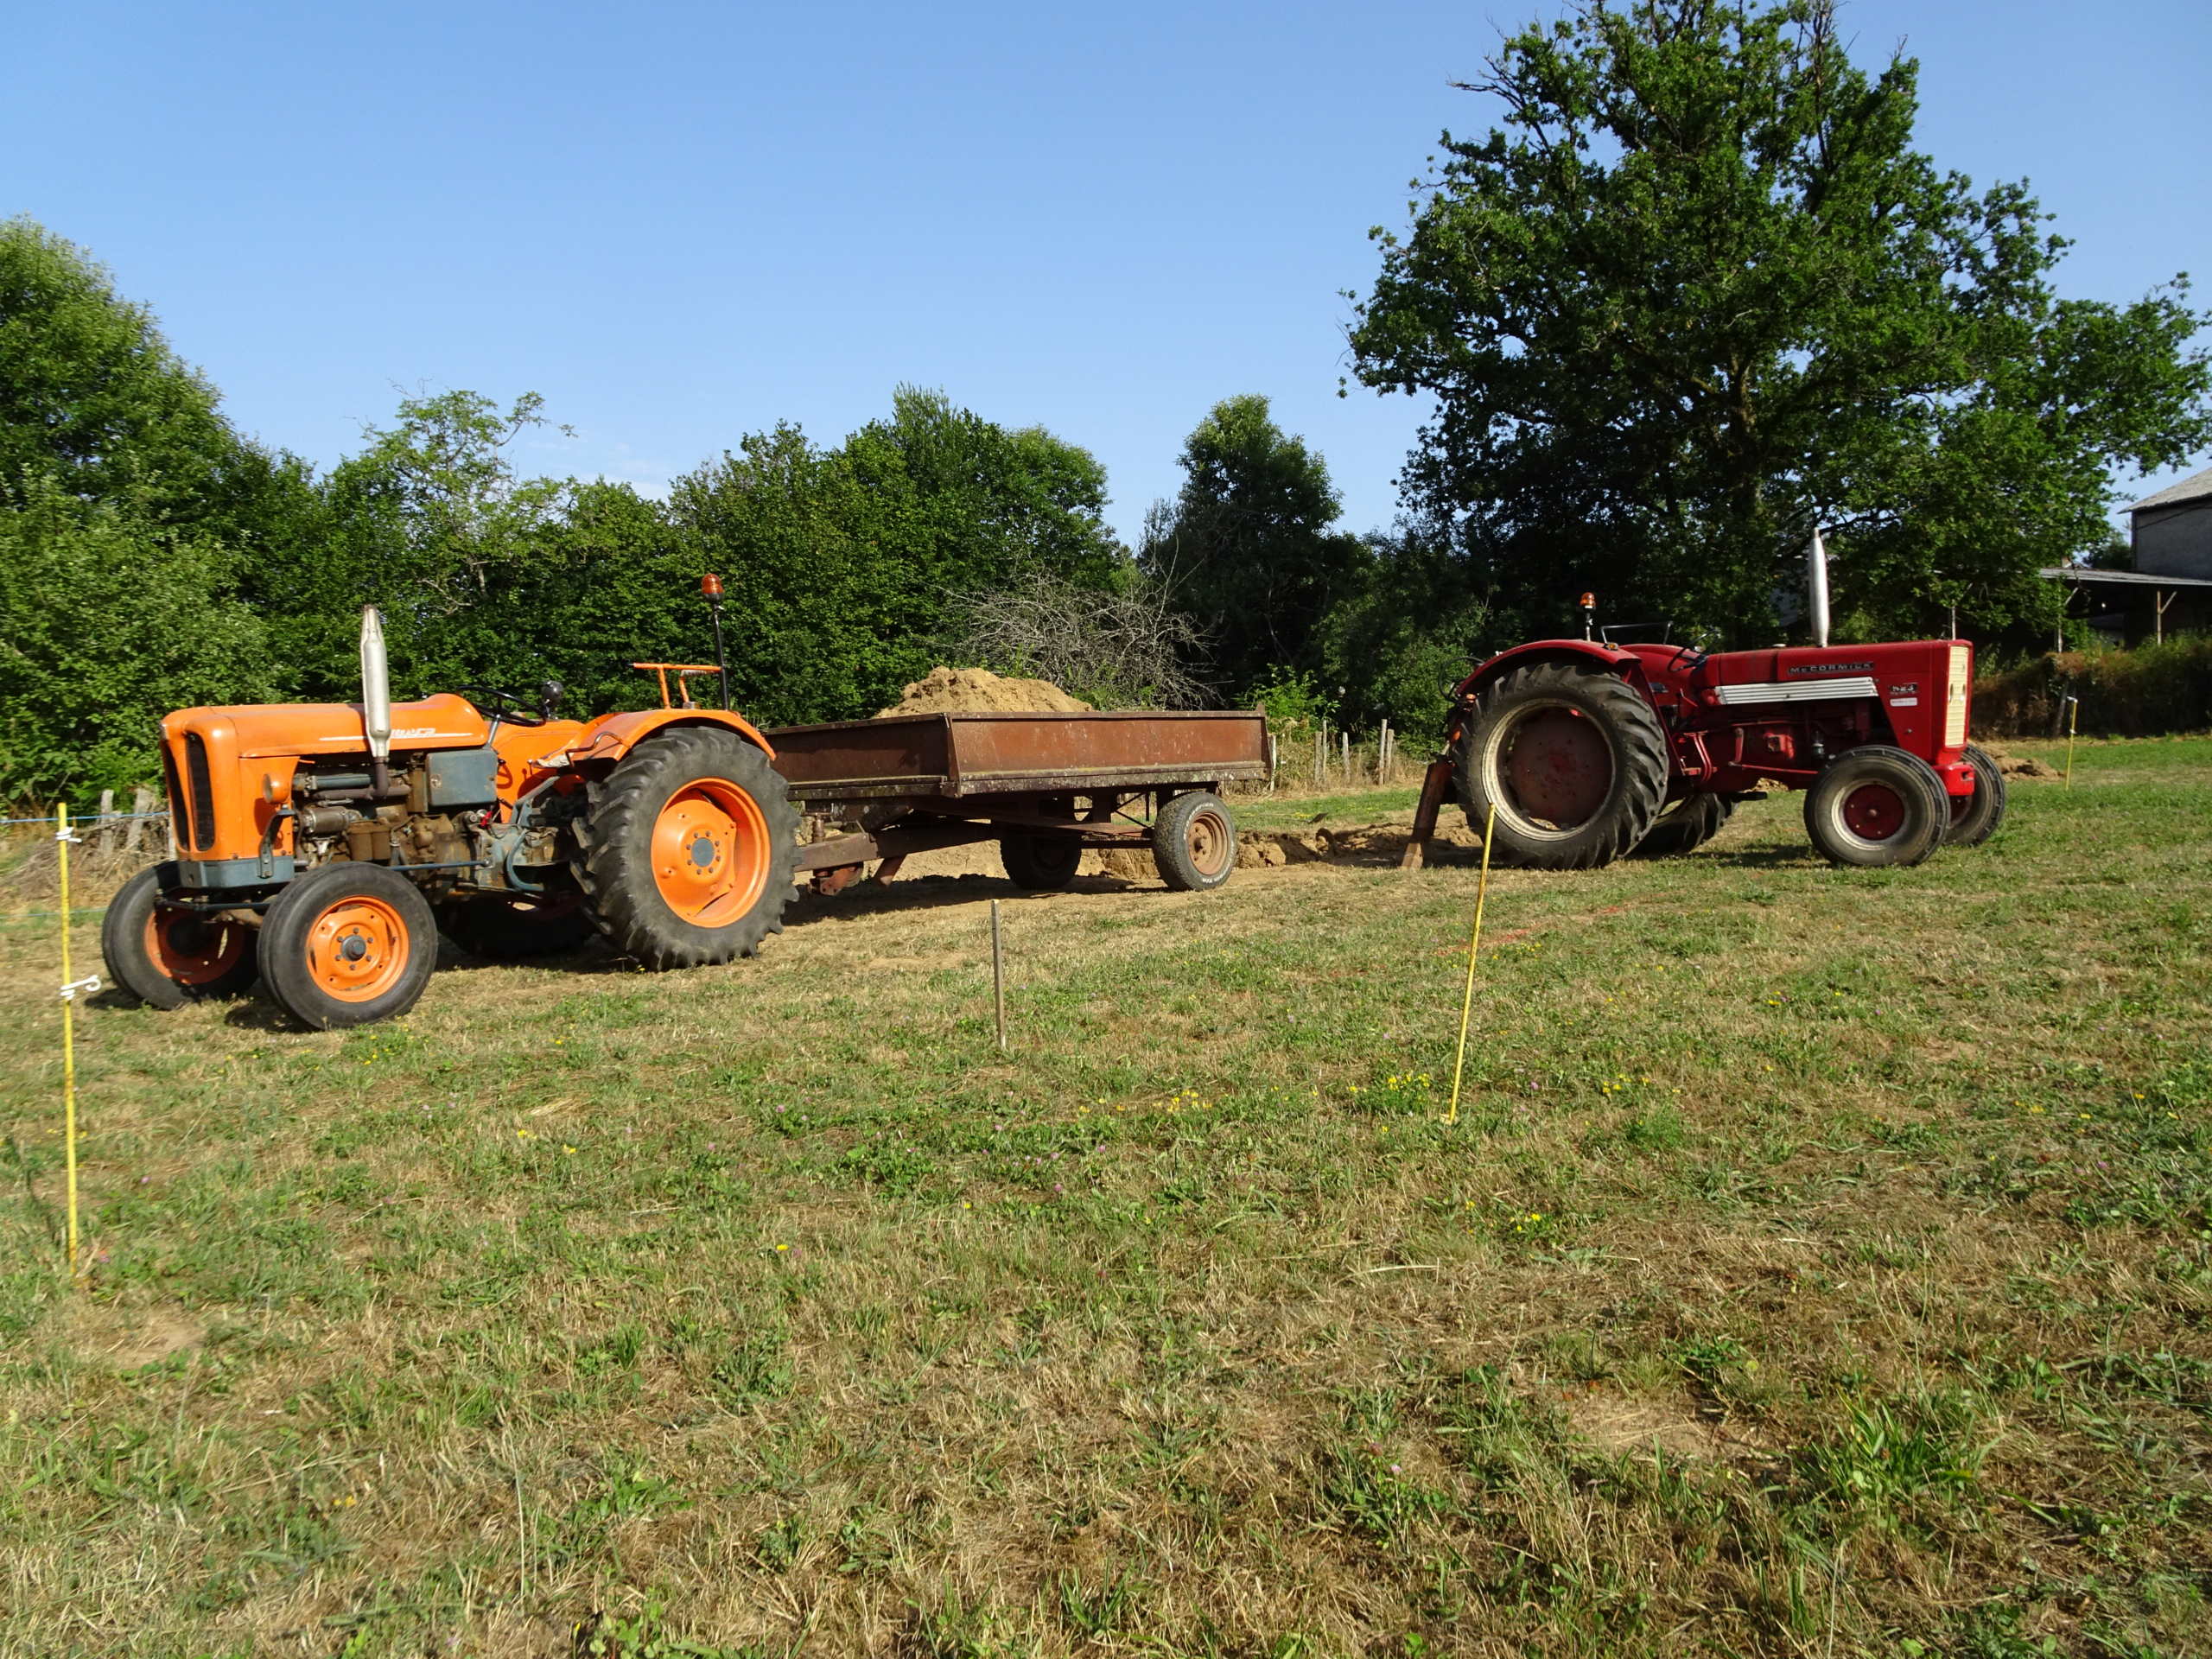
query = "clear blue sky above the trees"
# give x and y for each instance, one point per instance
(687, 222)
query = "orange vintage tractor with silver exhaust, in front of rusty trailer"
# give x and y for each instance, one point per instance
(322, 848)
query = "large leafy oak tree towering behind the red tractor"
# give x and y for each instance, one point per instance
(1700, 291)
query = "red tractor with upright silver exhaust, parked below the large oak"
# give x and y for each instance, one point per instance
(1592, 751)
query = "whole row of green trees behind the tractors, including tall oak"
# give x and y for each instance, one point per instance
(1691, 298)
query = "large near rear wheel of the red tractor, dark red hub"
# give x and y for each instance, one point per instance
(1574, 760)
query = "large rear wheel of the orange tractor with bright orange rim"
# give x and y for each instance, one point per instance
(691, 853)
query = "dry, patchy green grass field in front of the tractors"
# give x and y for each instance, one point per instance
(1822, 1264)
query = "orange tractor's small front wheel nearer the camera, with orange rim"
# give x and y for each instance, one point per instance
(348, 946)
